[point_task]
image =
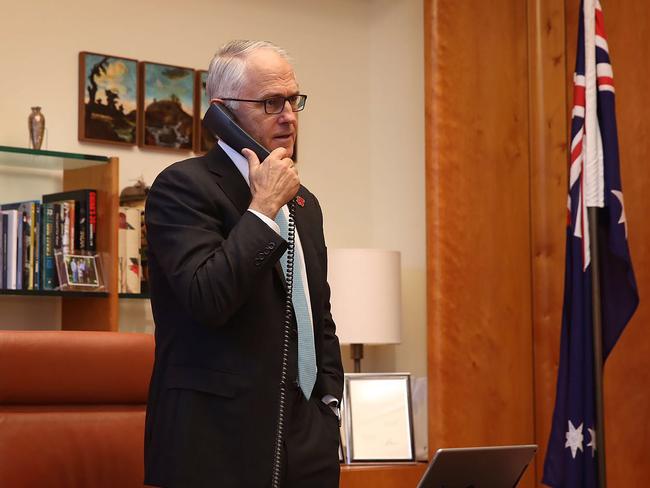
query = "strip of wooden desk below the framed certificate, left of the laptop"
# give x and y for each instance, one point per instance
(402, 475)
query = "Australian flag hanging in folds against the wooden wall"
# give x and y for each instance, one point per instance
(594, 181)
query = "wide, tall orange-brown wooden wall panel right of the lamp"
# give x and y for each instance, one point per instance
(478, 233)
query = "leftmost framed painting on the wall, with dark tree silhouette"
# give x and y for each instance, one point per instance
(107, 99)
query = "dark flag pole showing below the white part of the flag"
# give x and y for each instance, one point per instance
(598, 346)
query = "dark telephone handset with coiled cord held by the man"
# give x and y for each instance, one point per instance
(221, 124)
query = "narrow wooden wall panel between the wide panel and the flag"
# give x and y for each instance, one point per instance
(548, 190)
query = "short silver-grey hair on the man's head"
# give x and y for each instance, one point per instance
(227, 71)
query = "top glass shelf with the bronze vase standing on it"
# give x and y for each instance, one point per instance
(49, 160)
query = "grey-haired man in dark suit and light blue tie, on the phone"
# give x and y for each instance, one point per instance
(218, 298)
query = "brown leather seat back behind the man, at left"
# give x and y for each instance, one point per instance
(72, 407)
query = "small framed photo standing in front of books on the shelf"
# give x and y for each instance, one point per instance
(79, 271)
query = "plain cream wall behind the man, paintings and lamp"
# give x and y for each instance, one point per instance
(361, 136)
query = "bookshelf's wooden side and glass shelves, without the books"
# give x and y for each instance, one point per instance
(79, 310)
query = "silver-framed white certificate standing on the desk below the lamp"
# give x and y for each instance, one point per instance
(378, 417)
